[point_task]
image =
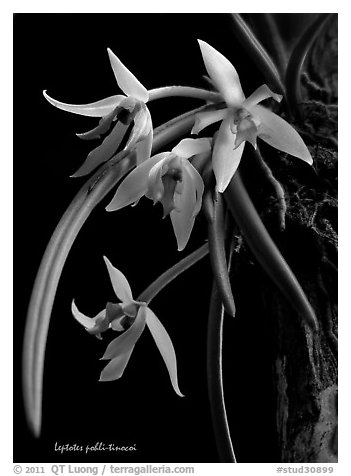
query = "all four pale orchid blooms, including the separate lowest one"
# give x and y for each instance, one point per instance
(171, 178)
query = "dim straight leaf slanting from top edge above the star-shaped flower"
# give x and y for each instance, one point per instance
(257, 52)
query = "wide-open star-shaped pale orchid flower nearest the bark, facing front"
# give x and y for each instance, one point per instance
(242, 120)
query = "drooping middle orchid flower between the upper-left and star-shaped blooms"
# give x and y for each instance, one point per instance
(170, 178)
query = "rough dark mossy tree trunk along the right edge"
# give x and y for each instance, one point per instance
(304, 364)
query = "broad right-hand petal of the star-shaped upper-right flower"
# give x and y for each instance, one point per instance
(280, 134)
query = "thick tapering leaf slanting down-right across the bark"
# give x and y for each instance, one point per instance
(265, 250)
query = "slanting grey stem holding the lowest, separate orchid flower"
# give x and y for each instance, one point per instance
(168, 276)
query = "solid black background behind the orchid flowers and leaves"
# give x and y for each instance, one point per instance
(66, 54)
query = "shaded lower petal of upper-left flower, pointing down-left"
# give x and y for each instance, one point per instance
(104, 151)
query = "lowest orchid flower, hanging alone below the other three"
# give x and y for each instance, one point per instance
(139, 314)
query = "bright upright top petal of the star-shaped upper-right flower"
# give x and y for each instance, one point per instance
(223, 74)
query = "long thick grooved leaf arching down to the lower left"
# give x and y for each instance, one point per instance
(47, 279)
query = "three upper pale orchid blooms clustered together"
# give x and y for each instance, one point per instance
(169, 177)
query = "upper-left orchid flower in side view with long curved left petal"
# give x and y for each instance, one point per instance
(120, 109)
